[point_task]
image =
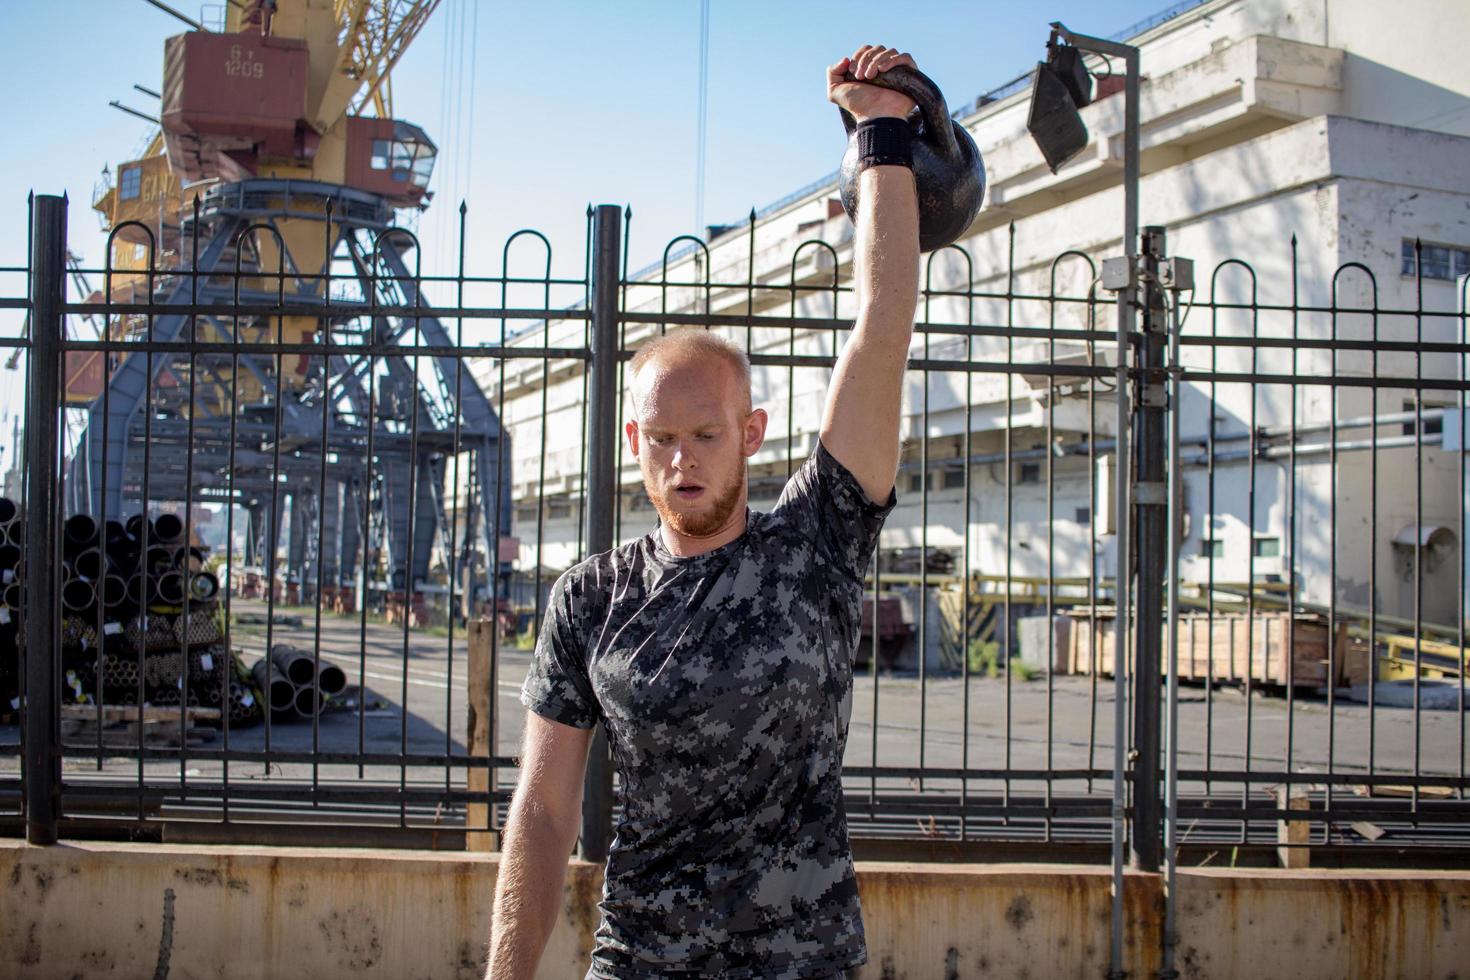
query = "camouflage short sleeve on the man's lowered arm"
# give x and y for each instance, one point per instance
(558, 685)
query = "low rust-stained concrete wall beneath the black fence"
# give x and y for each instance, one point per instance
(108, 910)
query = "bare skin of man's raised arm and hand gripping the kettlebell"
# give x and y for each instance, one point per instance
(861, 421)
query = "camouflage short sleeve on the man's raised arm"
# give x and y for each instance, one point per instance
(845, 522)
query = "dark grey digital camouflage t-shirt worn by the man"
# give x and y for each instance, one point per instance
(725, 685)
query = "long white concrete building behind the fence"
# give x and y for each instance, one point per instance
(1297, 136)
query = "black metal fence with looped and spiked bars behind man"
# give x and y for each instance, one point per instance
(384, 471)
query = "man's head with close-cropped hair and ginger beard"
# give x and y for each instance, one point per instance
(692, 434)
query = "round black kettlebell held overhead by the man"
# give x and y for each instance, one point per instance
(949, 171)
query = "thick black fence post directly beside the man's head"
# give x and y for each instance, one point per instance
(602, 490)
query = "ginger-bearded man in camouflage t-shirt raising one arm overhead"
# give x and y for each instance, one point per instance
(717, 652)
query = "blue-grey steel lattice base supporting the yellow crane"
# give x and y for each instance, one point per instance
(251, 415)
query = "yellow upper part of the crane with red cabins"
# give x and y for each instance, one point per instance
(299, 90)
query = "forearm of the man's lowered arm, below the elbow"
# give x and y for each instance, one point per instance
(528, 896)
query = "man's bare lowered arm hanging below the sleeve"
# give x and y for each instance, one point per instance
(539, 837)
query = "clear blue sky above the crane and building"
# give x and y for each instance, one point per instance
(573, 104)
